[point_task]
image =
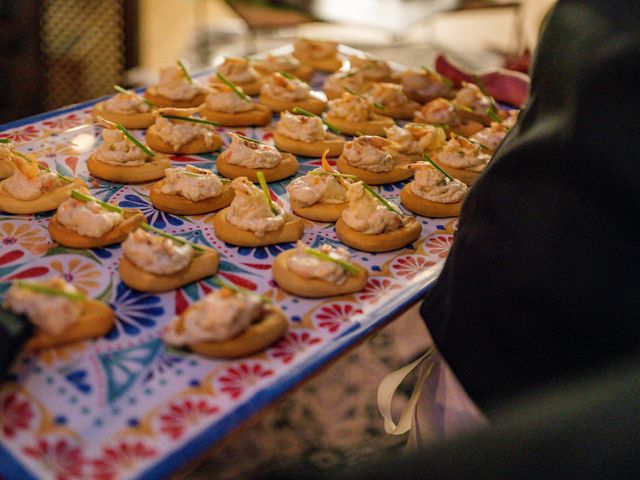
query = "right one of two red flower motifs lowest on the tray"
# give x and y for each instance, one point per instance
(119, 458)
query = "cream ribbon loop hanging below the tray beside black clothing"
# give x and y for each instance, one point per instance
(390, 384)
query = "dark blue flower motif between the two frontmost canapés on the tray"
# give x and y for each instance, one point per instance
(134, 311)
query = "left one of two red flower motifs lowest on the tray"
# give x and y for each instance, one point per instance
(61, 458)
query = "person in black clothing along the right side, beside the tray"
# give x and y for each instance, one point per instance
(539, 300)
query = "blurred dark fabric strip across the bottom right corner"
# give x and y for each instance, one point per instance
(587, 429)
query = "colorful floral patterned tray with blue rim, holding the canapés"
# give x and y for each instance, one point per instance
(126, 406)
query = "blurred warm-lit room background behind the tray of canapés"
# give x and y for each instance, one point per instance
(59, 52)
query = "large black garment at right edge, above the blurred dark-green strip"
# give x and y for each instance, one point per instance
(543, 279)
